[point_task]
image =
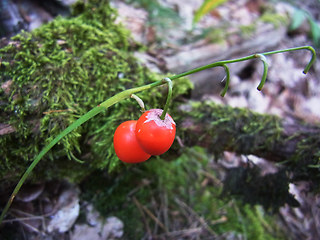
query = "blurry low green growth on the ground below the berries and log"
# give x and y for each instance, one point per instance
(164, 186)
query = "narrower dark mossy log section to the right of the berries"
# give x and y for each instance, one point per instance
(218, 128)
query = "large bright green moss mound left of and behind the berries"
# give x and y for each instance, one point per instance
(59, 72)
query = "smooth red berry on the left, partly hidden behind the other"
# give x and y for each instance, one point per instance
(126, 145)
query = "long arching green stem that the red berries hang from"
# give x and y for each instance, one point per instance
(126, 94)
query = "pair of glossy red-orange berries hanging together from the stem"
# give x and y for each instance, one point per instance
(135, 141)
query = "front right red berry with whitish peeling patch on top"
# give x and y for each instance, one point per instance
(154, 135)
